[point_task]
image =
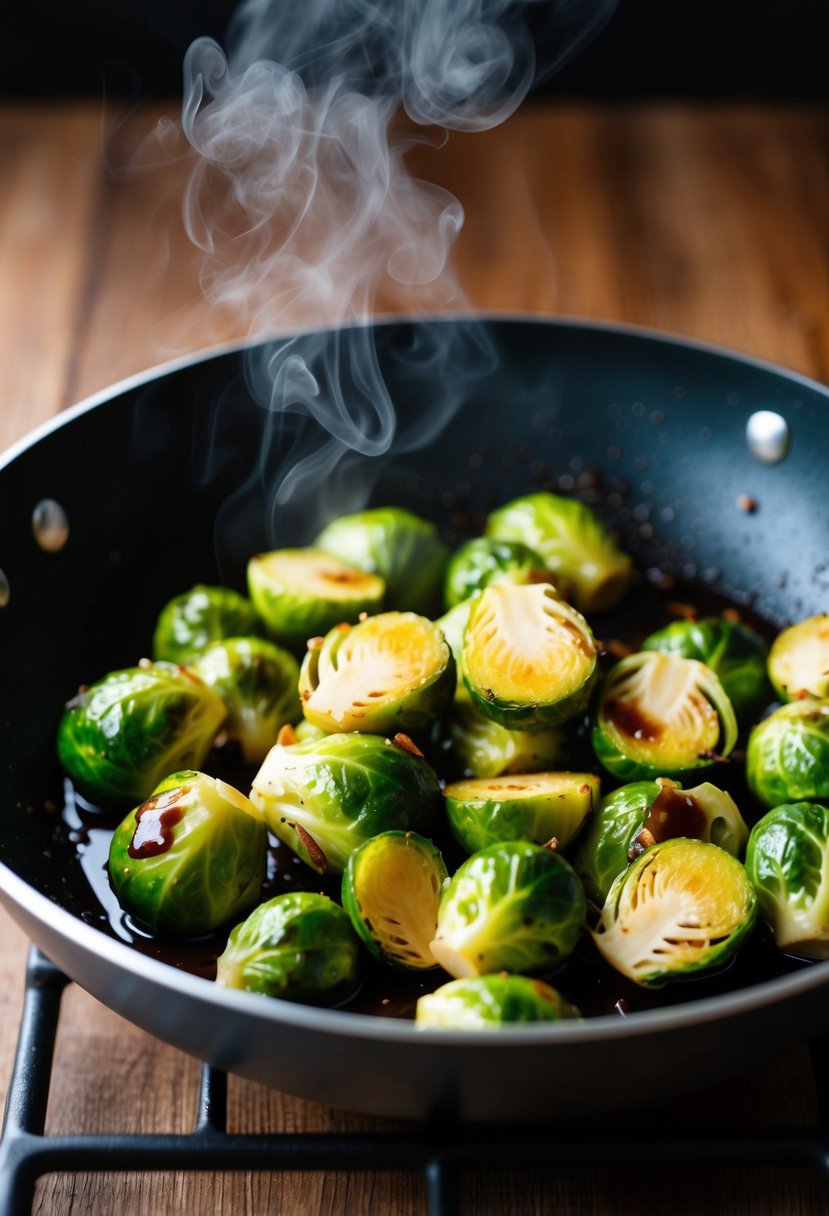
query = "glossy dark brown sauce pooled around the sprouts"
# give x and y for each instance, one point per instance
(585, 979)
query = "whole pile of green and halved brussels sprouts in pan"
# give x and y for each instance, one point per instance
(405, 712)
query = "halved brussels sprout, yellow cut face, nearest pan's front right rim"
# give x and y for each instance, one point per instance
(683, 908)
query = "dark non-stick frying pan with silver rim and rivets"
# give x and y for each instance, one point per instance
(179, 476)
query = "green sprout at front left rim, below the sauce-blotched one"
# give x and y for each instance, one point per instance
(298, 947)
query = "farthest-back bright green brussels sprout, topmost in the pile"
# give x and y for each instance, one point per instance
(572, 543)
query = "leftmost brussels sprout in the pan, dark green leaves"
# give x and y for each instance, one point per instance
(122, 736)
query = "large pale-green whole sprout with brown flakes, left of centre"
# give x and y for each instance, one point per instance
(324, 798)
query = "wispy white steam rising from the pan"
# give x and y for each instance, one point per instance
(307, 217)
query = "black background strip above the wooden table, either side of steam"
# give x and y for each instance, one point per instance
(749, 49)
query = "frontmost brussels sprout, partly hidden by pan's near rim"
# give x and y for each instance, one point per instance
(488, 1003)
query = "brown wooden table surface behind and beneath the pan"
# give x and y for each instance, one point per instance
(708, 222)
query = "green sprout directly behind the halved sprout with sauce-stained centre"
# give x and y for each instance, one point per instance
(735, 654)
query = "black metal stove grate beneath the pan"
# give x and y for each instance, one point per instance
(441, 1152)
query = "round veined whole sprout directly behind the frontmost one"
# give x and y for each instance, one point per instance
(514, 908)
